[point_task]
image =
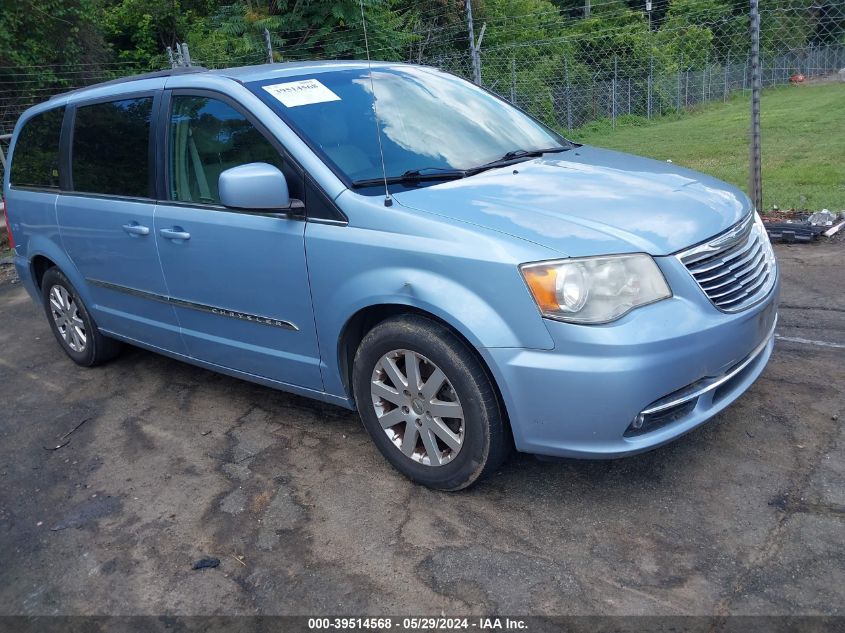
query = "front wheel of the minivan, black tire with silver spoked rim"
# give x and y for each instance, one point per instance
(410, 429)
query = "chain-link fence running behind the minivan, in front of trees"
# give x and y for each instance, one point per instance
(601, 62)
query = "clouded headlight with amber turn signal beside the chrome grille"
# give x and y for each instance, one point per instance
(595, 289)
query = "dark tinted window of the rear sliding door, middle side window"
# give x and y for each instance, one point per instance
(111, 144)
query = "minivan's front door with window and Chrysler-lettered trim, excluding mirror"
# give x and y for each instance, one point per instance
(237, 279)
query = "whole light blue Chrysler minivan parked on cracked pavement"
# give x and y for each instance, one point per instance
(397, 240)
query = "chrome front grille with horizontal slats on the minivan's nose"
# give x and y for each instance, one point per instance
(735, 269)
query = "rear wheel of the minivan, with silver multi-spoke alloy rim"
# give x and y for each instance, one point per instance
(72, 324)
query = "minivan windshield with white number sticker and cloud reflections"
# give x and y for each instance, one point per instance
(429, 120)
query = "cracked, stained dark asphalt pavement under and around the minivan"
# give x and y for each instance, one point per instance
(745, 515)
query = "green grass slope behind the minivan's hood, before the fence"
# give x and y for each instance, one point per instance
(803, 140)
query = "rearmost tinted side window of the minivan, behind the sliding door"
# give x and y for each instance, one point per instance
(36, 159)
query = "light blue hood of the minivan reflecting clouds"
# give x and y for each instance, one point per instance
(590, 201)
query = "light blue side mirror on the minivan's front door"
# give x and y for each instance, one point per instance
(258, 186)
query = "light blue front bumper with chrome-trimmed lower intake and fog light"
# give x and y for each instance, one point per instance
(632, 385)
